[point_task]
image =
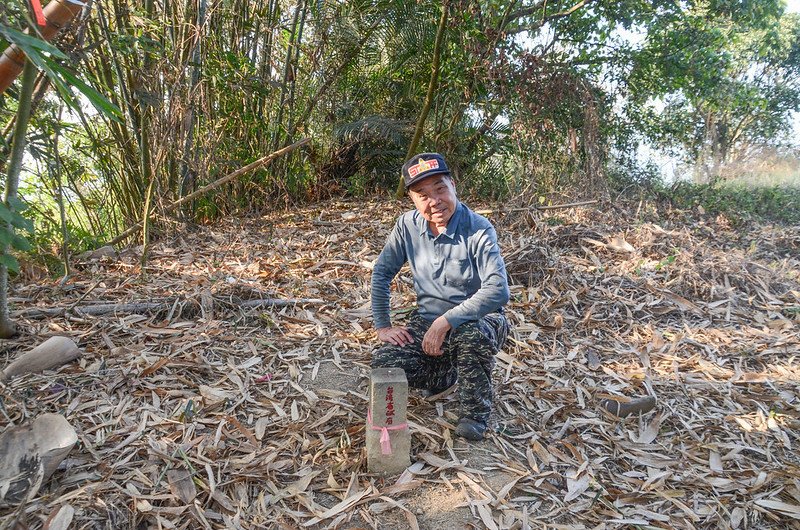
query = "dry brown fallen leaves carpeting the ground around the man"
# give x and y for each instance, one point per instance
(217, 409)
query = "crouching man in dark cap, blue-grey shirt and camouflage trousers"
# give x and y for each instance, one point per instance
(461, 286)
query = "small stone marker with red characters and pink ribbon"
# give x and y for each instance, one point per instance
(388, 436)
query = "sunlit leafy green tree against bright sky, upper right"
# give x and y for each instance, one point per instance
(727, 75)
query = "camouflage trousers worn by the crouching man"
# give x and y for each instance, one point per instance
(468, 357)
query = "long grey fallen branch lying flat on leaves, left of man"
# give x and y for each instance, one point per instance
(152, 307)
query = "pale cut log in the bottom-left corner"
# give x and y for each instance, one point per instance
(30, 453)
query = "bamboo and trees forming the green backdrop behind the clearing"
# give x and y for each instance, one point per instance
(520, 96)
